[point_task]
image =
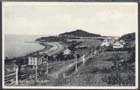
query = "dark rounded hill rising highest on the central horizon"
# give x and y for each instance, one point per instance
(79, 33)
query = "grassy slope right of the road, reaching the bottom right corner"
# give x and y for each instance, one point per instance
(100, 71)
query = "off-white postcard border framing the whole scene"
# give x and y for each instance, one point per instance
(67, 87)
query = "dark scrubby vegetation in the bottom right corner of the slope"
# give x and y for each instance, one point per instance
(122, 73)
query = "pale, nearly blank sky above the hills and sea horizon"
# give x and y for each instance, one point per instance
(110, 19)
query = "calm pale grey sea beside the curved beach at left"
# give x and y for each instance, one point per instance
(17, 45)
